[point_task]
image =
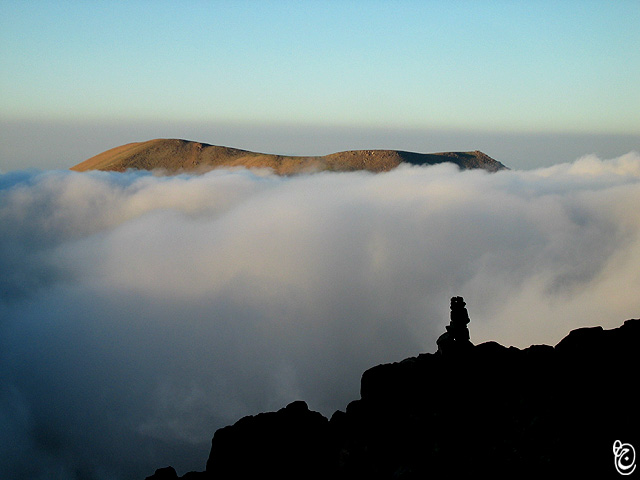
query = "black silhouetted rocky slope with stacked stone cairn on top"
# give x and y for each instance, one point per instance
(466, 410)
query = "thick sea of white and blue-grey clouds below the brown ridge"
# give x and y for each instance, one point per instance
(140, 312)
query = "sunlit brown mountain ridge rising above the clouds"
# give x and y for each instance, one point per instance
(174, 155)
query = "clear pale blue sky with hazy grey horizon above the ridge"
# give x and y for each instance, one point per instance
(523, 81)
